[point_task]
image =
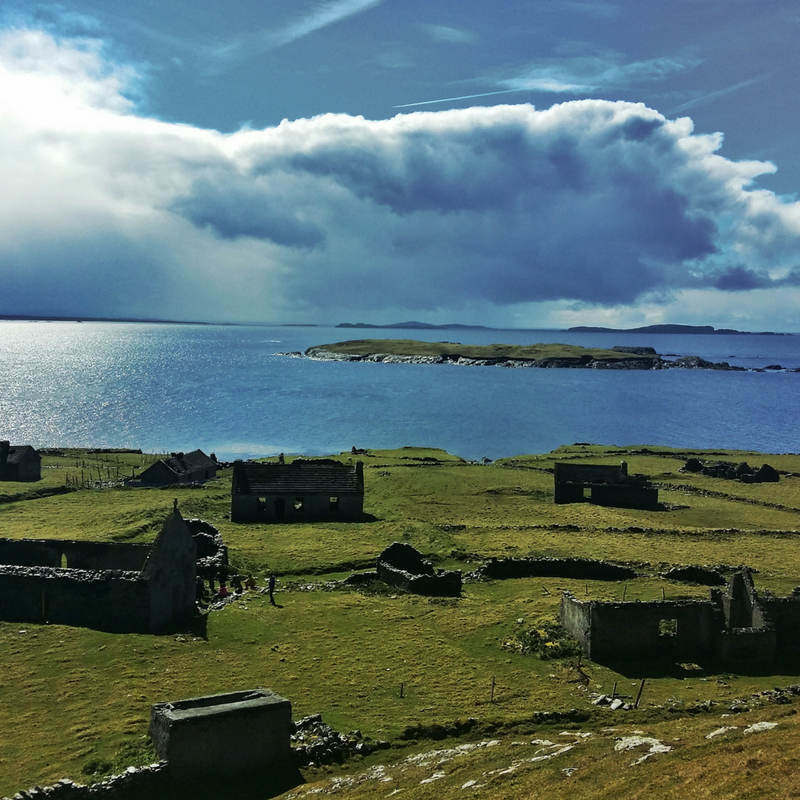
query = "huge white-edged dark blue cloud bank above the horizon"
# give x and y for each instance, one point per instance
(105, 211)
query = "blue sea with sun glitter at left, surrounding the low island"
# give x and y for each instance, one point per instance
(165, 387)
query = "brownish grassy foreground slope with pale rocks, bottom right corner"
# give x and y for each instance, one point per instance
(556, 763)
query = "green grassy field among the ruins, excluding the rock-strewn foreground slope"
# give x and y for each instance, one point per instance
(344, 653)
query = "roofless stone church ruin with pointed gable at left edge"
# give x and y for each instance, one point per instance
(102, 585)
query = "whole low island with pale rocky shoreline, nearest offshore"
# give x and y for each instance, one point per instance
(543, 356)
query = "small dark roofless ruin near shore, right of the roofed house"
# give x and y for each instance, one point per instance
(603, 485)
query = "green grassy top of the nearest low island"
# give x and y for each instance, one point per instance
(412, 347)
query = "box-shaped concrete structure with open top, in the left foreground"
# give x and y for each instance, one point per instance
(224, 734)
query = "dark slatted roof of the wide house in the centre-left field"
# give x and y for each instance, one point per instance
(307, 477)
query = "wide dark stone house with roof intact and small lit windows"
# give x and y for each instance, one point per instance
(303, 491)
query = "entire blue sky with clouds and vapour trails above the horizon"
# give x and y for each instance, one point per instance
(520, 164)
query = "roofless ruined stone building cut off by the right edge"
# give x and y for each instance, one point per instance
(736, 627)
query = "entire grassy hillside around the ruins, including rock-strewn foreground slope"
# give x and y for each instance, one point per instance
(80, 698)
